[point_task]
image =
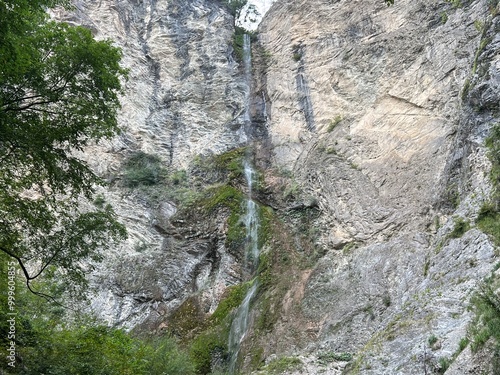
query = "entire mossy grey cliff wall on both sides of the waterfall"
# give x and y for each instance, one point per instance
(369, 128)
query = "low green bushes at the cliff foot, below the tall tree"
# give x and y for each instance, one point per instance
(49, 341)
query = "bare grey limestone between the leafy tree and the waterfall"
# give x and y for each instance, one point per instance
(183, 98)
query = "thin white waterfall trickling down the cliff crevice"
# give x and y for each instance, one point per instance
(239, 325)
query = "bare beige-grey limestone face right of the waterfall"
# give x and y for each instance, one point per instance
(368, 109)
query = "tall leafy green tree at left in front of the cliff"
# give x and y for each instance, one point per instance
(59, 92)
